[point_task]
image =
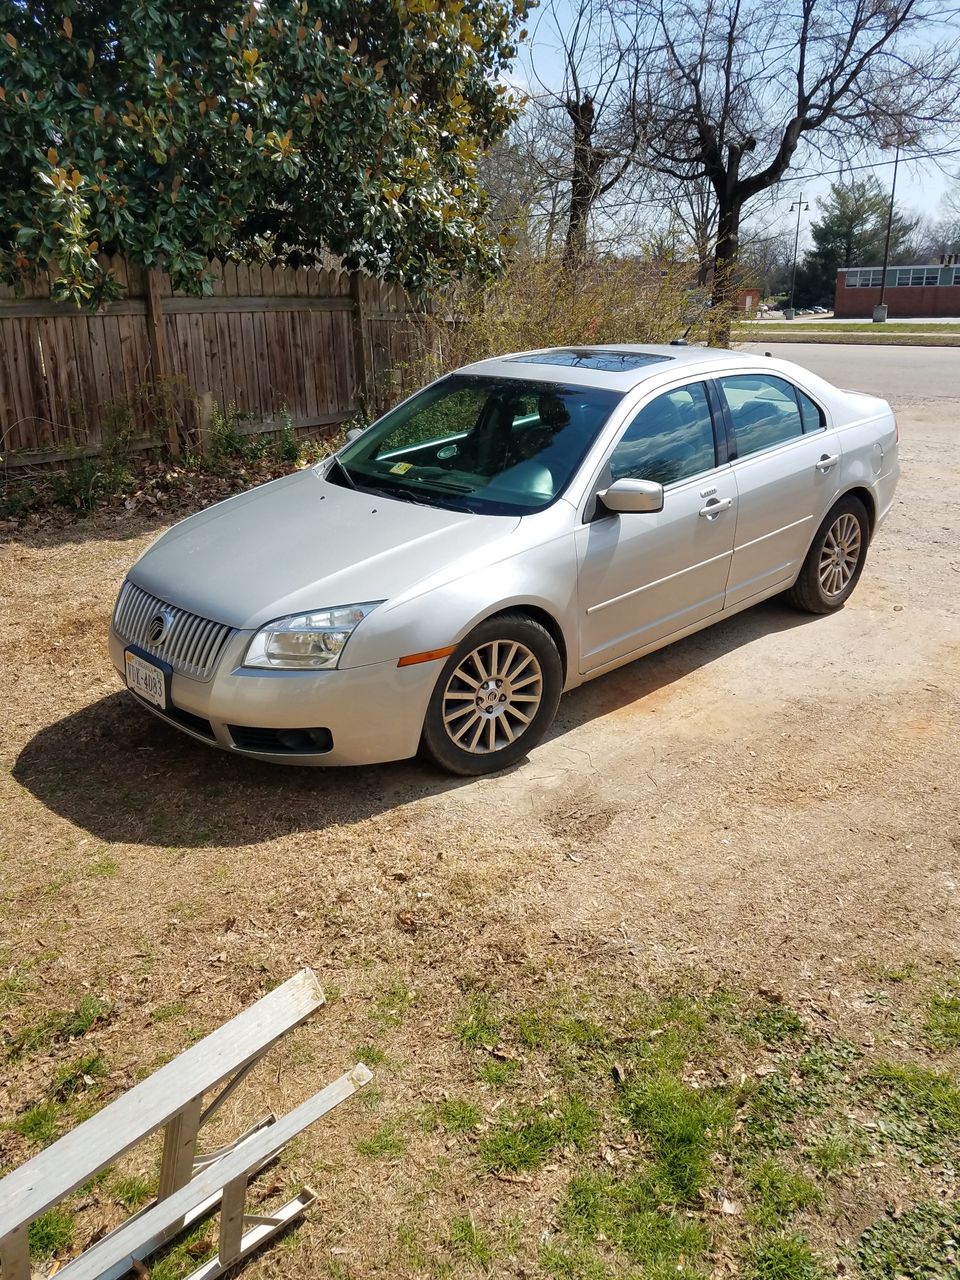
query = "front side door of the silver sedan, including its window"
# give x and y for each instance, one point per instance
(644, 578)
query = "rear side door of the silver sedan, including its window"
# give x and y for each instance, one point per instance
(785, 460)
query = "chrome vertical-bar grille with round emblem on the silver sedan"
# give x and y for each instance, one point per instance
(191, 644)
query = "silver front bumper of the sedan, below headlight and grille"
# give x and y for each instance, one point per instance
(373, 714)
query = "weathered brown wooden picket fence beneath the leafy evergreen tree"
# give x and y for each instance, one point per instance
(308, 344)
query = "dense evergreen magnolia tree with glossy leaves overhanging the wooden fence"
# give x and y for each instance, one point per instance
(278, 129)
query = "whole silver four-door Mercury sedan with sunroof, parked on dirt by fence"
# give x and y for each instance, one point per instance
(506, 534)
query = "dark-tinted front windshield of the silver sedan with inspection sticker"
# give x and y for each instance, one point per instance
(495, 446)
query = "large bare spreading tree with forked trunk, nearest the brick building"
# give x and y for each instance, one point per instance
(735, 92)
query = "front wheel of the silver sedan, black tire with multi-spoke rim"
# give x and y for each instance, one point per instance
(505, 673)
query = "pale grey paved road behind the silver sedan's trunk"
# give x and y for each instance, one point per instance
(904, 376)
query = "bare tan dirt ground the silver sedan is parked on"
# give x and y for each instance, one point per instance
(772, 806)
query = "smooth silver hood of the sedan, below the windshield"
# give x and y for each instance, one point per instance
(301, 543)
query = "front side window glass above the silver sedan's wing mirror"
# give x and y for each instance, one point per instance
(670, 440)
